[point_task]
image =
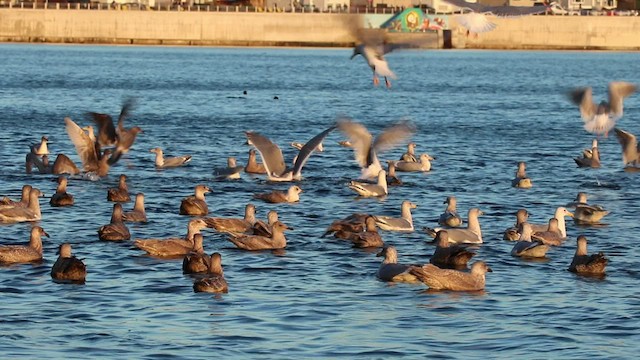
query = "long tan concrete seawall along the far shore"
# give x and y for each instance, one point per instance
(298, 29)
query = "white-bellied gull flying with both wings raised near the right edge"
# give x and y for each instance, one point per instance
(601, 118)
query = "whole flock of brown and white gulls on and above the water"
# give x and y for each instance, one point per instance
(100, 146)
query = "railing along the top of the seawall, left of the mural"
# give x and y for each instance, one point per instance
(216, 8)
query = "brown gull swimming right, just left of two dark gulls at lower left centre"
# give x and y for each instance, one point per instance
(172, 246)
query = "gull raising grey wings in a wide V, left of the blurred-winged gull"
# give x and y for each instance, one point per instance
(274, 161)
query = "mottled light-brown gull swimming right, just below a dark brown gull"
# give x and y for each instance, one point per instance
(447, 279)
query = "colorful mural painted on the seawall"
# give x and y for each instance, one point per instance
(415, 20)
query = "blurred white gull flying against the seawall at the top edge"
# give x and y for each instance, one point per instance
(476, 20)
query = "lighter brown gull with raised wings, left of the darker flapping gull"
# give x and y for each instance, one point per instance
(93, 160)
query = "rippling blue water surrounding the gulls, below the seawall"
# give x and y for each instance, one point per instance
(479, 113)
